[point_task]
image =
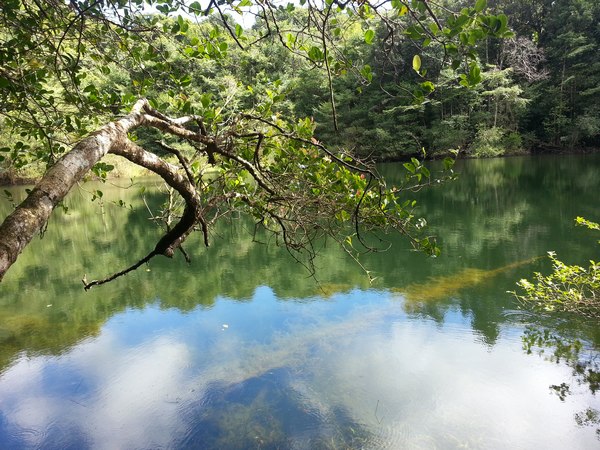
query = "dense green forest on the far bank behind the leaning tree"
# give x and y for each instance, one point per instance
(387, 92)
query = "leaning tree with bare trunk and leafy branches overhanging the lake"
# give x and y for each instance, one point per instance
(272, 169)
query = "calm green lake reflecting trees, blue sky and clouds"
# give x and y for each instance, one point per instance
(242, 349)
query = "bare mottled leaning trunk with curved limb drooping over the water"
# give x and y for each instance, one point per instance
(19, 228)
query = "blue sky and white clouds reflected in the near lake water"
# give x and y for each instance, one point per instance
(352, 371)
